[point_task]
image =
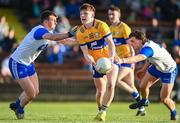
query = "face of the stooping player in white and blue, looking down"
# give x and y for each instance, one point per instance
(135, 43)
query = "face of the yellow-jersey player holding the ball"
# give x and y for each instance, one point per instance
(86, 16)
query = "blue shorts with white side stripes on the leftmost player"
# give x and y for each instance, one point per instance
(19, 71)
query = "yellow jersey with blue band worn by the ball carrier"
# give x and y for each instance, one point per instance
(94, 39)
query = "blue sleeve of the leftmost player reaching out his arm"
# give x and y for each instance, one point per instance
(39, 33)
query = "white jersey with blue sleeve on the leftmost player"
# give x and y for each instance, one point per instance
(32, 45)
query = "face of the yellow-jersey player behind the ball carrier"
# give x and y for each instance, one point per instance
(113, 16)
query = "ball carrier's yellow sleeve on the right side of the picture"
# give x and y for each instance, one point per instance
(105, 30)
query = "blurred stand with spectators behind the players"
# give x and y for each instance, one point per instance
(64, 74)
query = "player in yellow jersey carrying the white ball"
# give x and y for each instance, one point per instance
(95, 39)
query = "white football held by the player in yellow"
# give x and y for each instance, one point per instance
(103, 65)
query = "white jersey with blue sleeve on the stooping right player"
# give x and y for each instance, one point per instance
(158, 56)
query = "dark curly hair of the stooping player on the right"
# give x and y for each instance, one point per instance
(139, 35)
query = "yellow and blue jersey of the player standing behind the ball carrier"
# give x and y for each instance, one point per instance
(120, 33)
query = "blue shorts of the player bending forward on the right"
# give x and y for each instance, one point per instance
(164, 77)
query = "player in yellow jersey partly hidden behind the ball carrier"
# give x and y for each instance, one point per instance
(120, 32)
